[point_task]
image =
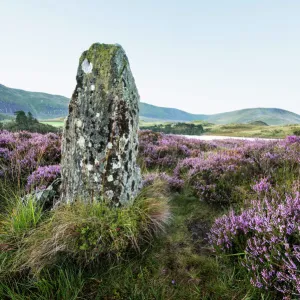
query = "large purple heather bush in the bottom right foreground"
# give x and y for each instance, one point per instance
(267, 235)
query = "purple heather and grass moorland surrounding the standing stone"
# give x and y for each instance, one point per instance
(233, 232)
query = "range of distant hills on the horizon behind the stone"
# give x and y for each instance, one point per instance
(47, 106)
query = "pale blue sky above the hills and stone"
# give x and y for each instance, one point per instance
(201, 56)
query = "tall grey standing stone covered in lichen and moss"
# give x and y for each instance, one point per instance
(100, 139)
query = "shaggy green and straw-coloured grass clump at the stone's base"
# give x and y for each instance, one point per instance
(87, 233)
